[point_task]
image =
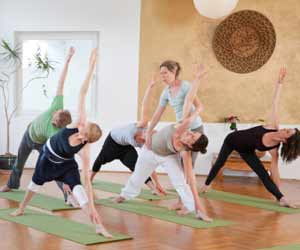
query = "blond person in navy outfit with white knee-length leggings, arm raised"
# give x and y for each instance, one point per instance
(56, 160)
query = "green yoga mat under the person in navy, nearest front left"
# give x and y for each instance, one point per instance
(59, 226)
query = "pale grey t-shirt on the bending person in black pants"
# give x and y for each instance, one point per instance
(125, 135)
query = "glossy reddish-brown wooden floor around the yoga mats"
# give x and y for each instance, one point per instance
(255, 228)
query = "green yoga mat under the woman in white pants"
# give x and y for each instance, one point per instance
(161, 213)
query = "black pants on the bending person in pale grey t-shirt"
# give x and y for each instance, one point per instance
(114, 151)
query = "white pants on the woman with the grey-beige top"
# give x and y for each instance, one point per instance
(147, 162)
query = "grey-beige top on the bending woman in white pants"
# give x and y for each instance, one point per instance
(162, 141)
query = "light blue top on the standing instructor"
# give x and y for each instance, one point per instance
(178, 101)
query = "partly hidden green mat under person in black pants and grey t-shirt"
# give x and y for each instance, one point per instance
(116, 188)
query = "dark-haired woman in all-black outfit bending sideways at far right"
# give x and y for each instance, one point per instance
(262, 138)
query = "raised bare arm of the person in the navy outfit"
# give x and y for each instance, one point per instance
(85, 87)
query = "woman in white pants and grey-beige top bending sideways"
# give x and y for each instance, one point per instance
(166, 145)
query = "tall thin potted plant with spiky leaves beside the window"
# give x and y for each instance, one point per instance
(11, 63)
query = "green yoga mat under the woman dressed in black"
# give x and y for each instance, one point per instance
(247, 201)
